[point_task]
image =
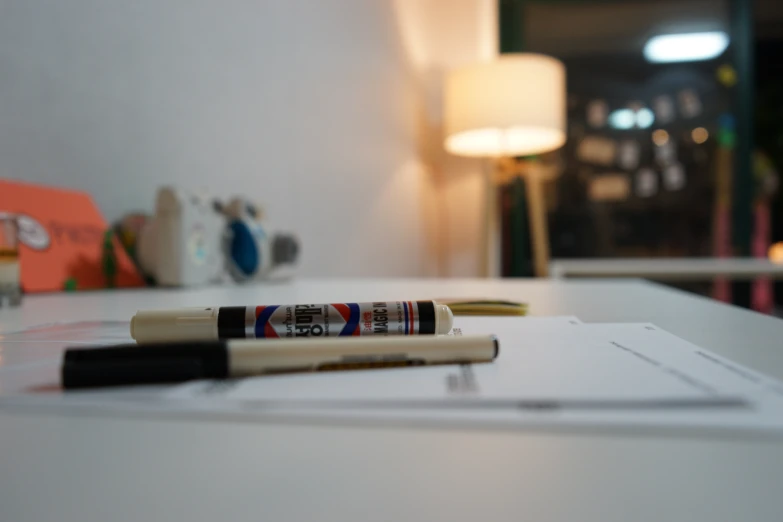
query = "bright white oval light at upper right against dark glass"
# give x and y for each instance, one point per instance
(685, 47)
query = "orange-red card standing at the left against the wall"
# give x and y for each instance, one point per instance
(63, 242)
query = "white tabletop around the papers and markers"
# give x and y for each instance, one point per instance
(86, 469)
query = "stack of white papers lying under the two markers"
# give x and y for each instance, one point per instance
(551, 372)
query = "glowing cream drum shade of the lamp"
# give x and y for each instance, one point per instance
(512, 106)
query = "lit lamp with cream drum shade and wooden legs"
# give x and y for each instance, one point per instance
(512, 106)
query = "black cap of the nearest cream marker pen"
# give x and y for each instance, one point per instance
(147, 364)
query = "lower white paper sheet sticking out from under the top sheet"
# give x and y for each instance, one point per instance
(762, 415)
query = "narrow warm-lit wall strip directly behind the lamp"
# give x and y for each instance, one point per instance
(440, 35)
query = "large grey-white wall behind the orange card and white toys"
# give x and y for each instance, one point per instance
(309, 106)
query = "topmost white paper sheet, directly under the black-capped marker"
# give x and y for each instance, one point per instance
(541, 364)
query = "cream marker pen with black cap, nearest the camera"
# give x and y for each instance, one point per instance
(183, 361)
